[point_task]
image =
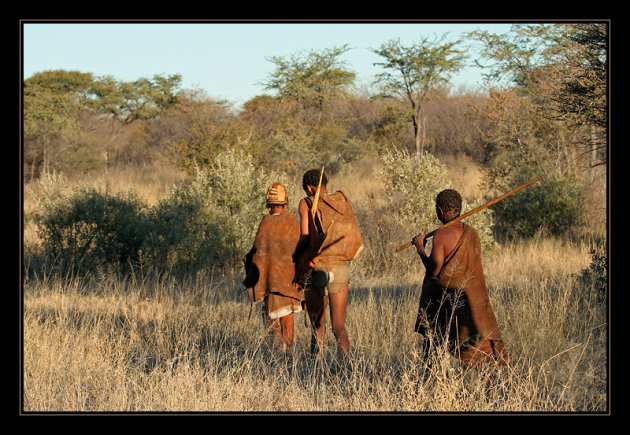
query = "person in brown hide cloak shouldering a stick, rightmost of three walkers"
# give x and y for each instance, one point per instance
(454, 305)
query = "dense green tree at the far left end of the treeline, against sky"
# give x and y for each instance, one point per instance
(55, 100)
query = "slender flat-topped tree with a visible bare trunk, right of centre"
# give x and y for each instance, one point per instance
(413, 71)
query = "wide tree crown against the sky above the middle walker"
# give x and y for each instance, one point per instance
(311, 78)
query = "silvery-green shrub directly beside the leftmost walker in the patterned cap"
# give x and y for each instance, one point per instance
(211, 220)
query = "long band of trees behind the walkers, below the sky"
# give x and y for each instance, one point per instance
(546, 99)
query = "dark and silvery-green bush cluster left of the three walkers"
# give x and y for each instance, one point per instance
(208, 221)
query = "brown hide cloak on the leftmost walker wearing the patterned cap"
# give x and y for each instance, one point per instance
(270, 268)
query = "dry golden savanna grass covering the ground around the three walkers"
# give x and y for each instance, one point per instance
(147, 342)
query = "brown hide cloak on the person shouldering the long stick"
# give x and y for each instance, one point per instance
(455, 305)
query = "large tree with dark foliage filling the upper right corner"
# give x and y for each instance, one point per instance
(561, 69)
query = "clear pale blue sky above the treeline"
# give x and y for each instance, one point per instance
(227, 60)
